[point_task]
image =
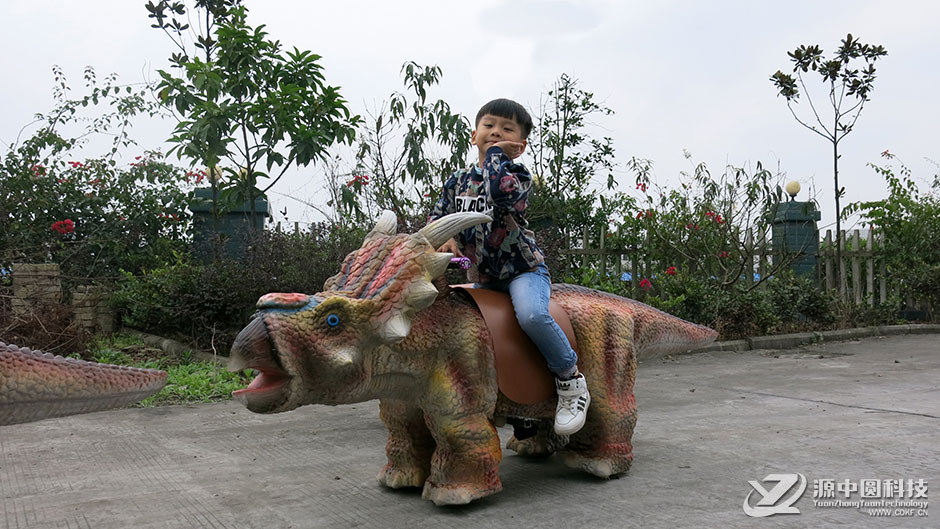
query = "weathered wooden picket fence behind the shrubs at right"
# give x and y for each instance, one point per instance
(860, 277)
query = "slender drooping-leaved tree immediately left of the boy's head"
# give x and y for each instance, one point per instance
(398, 145)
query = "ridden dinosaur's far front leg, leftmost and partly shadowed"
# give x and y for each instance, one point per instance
(409, 447)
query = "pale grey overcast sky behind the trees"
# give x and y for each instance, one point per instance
(680, 75)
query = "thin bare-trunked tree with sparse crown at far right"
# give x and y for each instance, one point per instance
(844, 80)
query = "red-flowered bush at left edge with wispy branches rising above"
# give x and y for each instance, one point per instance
(93, 216)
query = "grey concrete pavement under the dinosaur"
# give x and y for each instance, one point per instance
(708, 424)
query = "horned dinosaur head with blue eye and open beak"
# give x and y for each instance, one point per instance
(319, 348)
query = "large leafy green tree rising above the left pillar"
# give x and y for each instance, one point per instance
(250, 102)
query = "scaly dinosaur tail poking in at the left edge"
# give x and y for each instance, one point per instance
(36, 385)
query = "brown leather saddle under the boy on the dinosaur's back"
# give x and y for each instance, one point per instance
(521, 372)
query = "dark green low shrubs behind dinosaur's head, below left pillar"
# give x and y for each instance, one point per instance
(208, 303)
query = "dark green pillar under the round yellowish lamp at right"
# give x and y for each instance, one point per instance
(795, 236)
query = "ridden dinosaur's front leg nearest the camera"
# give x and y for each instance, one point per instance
(465, 465)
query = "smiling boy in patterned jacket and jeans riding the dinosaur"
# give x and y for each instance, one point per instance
(504, 253)
